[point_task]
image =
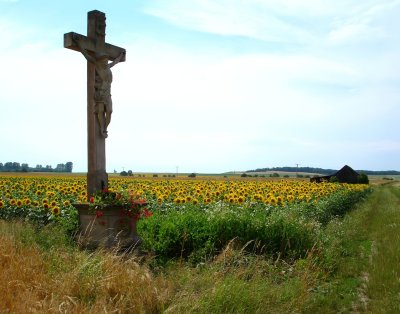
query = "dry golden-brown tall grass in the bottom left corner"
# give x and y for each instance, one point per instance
(71, 281)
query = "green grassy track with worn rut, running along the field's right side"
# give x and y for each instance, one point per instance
(364, 246)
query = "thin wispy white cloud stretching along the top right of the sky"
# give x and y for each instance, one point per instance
(288, 21)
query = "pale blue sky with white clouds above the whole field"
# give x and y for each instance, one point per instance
(209, 86)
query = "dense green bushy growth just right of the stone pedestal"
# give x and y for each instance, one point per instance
(198, 234)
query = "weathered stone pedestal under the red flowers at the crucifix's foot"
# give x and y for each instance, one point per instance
(108, 227)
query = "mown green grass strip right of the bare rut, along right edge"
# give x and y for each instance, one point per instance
(383, 274)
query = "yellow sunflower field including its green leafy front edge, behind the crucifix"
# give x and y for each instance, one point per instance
(195, 218)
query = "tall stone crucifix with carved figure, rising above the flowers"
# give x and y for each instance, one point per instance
(98, 53)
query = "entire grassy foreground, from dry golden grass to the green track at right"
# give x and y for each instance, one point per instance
(353, 268)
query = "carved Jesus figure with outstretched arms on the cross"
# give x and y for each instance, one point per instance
(102, 86)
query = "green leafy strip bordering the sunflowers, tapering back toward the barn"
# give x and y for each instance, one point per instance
(290, 230)
